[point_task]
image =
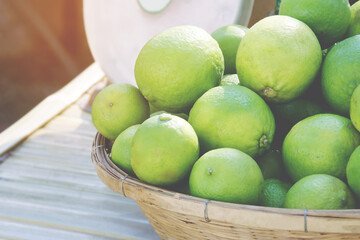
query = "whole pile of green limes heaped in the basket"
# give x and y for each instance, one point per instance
(264, 116)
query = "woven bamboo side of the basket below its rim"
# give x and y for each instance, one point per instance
(174, 226)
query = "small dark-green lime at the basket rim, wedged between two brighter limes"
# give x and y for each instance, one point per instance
(274, 193)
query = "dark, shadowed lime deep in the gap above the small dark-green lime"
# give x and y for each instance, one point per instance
(271, 165)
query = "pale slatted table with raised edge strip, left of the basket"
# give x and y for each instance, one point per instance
(48, 185)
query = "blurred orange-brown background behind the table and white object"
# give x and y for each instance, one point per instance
(43, 46)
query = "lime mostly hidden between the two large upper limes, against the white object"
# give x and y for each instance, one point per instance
(229, 38)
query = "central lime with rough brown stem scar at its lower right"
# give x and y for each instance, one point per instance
(234, 117)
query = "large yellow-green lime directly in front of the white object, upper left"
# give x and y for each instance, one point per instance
(177, 66)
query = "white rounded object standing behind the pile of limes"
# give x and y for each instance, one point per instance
(118, 29)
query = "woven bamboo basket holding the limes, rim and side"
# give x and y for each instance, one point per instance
(179, 216)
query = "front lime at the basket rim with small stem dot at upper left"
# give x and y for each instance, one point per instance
(228, 175)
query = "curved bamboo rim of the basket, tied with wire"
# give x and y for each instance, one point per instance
(106, 170)
